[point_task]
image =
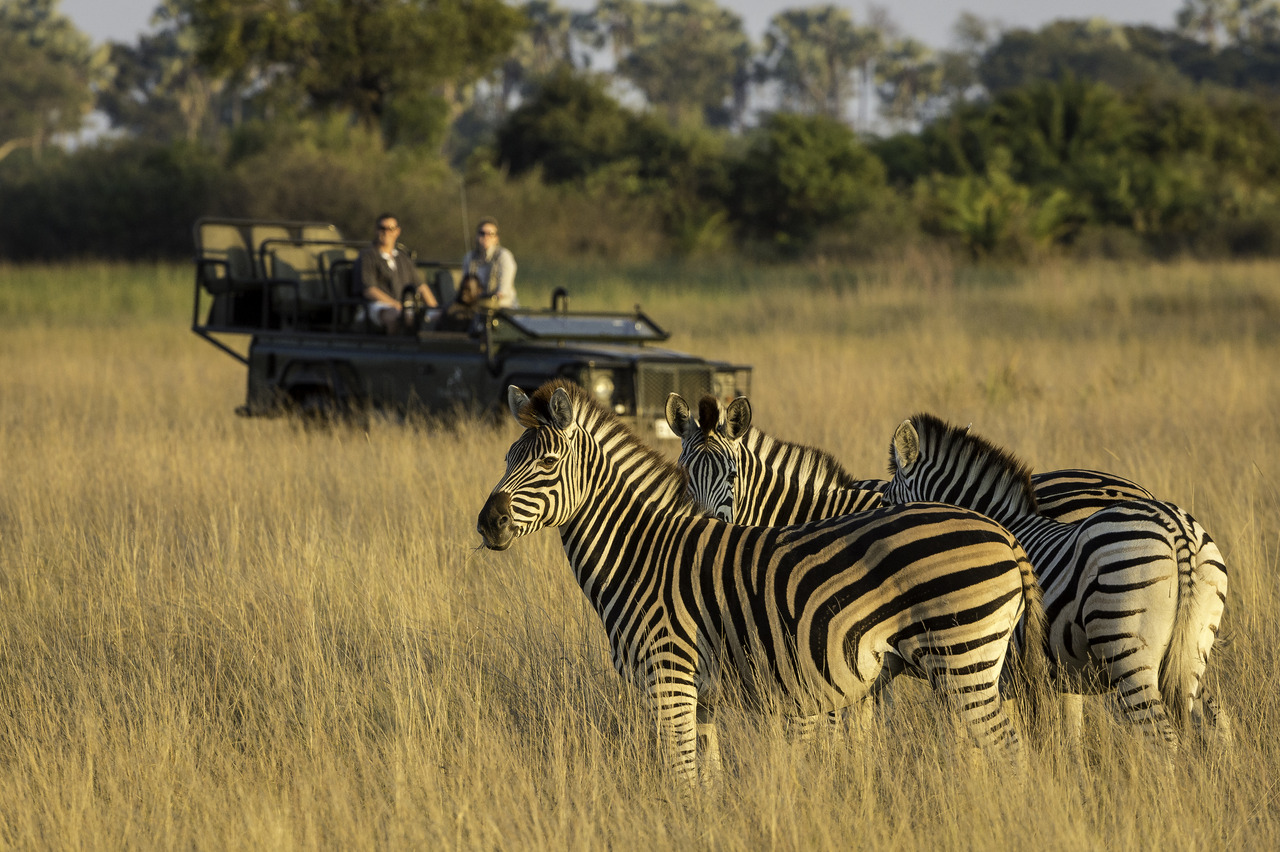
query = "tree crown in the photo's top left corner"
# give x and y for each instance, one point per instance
(47, 75)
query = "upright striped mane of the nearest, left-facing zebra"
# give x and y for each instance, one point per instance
(664, 477)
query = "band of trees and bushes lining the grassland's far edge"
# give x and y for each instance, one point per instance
(834, 129)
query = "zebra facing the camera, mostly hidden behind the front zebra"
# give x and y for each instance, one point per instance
(744, 475)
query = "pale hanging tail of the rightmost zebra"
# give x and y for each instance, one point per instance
(1180, 671)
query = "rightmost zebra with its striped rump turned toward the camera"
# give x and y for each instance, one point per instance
(1135, 593)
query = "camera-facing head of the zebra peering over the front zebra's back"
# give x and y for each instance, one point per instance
(710, 450)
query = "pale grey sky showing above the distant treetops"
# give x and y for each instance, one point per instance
(930, 21)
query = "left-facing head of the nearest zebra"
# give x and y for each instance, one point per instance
(540, 488)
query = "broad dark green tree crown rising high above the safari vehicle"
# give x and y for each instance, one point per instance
(390, 63)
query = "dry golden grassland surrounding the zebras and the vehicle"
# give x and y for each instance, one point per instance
(231, 634)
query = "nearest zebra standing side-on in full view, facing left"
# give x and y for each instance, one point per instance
(813, 615)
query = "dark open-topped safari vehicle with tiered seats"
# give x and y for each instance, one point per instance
(289, 287)
